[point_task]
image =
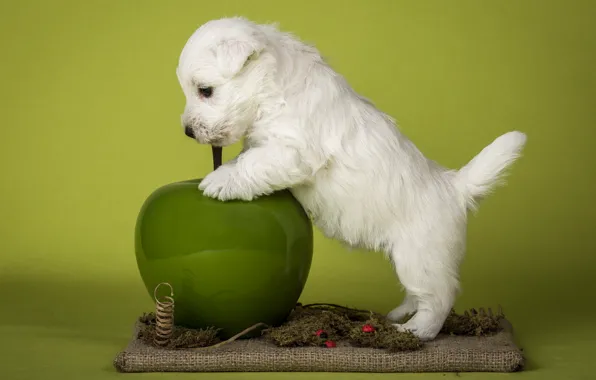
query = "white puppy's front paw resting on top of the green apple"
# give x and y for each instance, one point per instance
(224, 184)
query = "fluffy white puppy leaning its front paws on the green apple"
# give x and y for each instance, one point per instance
(361, 180)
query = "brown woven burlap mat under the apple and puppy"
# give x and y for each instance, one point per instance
(496, 353)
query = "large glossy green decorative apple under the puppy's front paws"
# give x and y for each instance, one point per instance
(231, 264)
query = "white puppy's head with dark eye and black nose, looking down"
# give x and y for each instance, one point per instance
(221, 77)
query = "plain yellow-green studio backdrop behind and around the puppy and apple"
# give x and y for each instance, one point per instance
(90, 127)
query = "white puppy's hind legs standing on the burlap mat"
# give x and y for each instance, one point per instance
(429, 274)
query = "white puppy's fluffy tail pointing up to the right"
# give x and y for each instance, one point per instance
(486, 171)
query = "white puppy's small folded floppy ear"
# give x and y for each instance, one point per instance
(233, 55)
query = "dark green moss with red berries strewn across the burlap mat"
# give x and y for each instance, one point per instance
(315, 324)
